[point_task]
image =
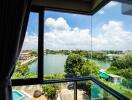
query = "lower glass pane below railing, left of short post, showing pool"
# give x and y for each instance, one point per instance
(57, 91)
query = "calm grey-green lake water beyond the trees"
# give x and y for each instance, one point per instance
(54, 64)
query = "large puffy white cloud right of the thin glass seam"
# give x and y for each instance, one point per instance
(113, 36)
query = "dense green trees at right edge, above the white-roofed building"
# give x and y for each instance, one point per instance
(122, 66)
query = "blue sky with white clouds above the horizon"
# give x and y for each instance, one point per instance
(108, 29)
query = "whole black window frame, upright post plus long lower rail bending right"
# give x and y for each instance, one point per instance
(41, 80)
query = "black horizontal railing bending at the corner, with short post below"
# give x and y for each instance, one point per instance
(115, 94)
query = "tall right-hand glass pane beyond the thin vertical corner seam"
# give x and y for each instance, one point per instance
(112, 50)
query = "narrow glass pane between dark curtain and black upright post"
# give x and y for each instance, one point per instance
(26, 65)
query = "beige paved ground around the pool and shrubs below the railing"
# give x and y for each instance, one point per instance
(65, 94)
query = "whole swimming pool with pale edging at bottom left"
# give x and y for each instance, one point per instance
(18, 95)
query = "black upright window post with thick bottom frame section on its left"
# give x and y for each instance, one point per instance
(39, 79)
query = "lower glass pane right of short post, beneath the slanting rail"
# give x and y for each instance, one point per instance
(88, 90)
